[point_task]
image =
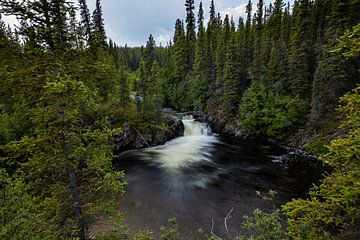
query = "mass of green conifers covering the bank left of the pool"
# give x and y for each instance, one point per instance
(63, 96)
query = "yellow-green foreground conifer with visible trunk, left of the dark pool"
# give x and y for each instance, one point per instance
(68, 168)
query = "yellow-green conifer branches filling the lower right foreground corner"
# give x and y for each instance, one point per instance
(332, 211)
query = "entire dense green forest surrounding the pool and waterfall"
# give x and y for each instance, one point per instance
(66, 90)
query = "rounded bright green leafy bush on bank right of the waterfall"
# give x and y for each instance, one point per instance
(275, 116)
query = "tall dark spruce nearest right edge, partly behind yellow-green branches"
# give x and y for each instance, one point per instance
(334, 76)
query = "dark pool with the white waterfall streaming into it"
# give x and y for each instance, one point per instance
(199, 178)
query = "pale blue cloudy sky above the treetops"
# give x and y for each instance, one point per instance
(132, 21)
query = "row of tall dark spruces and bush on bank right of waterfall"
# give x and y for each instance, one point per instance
(273, 72)
